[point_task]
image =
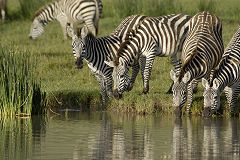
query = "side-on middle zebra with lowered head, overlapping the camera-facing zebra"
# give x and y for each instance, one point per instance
(155, 36)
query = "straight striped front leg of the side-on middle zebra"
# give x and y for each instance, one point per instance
(147, 74)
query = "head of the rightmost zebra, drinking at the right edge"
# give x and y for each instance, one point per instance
(211, 96)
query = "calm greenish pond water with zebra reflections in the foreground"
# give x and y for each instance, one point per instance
(82, 136)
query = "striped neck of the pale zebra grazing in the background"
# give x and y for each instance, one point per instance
(48, 13)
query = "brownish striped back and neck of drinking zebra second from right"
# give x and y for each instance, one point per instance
(203, 47)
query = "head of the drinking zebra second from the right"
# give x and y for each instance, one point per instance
(180, 90)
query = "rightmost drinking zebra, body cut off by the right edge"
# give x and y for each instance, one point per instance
(226, 77)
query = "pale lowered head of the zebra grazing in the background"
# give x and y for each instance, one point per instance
(37, 28)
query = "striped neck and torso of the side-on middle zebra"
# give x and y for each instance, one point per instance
(167, 32)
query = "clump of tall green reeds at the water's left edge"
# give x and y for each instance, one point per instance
(20, 88)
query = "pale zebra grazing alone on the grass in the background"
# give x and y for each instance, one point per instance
(74, 12)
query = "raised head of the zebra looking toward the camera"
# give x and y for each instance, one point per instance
(78, 47)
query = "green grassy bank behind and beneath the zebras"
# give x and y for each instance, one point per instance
(68, 87)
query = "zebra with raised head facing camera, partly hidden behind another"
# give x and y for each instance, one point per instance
(97, 50)
